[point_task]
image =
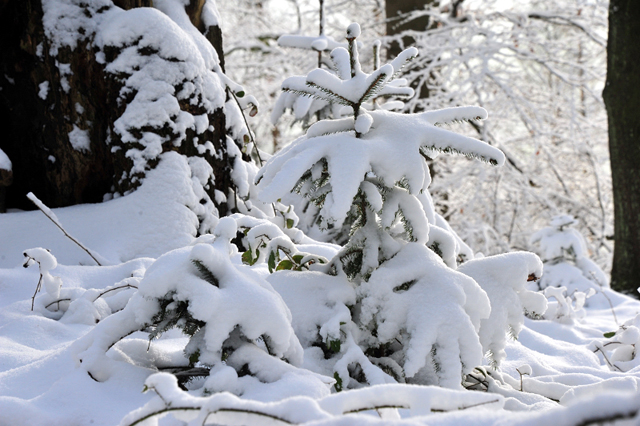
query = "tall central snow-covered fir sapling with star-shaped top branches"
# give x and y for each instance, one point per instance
(414, 318)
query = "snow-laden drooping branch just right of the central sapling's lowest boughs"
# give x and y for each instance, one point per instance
(504, 278)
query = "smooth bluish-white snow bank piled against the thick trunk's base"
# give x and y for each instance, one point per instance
(164, 202)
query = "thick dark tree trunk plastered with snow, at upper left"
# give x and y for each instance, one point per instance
(96, 91)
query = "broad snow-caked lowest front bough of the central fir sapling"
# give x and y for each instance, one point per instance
(414, 297)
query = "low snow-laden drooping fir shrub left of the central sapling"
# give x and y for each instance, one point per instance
(228, 312)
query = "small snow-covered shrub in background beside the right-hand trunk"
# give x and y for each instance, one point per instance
(565, 257)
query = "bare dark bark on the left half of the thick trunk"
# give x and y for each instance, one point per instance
(35, 133)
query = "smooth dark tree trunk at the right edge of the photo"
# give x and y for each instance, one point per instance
(622, 99)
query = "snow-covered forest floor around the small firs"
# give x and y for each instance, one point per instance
(42, 383)
